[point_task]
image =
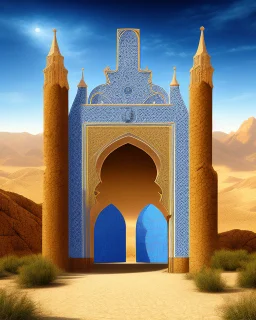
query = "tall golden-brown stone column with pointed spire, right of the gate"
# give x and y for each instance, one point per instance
(203, 206)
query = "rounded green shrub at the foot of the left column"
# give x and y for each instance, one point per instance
(39, 272)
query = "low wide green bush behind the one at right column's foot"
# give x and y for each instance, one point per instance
(229, 260)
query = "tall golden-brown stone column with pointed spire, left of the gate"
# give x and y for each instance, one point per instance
(55, 205)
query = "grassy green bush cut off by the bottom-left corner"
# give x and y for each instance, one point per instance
(14, 306)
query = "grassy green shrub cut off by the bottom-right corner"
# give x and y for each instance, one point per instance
(242, 308)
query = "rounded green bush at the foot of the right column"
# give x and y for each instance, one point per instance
(208, 280)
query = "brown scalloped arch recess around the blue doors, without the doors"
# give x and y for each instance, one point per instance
(127, 174)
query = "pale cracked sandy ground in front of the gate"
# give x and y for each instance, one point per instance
(128, 292)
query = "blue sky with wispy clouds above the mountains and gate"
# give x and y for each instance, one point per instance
(87, 38)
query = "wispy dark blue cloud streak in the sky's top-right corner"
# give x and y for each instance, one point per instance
(236, 11)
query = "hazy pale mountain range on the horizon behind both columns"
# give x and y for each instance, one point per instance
(236, 150)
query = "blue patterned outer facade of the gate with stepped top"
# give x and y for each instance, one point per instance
(128, 97)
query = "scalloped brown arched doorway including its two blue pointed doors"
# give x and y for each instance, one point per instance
(128, 170)
